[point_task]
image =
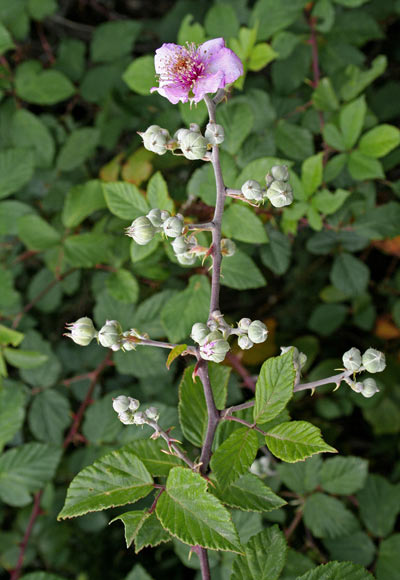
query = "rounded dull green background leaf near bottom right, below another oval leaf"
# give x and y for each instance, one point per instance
(327, 517)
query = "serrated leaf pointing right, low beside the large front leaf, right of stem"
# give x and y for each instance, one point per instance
(249, 493)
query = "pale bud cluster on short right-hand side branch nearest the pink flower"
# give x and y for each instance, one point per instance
(278, 190)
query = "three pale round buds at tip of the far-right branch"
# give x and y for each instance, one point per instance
(372, 361)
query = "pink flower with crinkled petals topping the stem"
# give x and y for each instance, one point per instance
(189, 72)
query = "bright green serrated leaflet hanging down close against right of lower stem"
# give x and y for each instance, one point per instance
(234, 456)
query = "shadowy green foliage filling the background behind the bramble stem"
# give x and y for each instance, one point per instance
(321, 93)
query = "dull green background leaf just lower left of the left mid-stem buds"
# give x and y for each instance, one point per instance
(87, 250)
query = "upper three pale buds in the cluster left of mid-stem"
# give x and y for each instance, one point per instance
(143, 229)
